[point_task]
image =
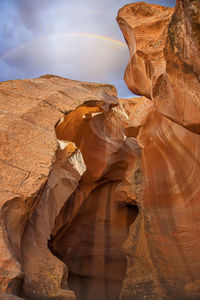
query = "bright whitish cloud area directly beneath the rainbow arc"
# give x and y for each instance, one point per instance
(84, 57)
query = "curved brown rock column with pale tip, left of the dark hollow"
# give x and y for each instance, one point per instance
(43, 272)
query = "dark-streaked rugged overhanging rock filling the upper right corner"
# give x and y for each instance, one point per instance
(177, 92)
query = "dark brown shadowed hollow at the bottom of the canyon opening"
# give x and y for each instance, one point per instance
(91, 246)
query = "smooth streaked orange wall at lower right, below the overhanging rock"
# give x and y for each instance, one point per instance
(163, 244)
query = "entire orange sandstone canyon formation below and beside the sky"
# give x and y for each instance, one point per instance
(100, 196)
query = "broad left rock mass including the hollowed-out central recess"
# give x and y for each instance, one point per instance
(63, 198)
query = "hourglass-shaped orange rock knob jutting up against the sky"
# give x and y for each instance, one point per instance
(145, 29)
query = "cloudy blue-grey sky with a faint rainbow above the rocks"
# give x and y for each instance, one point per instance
(76, 39)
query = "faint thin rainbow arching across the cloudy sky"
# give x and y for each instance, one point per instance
(84, 34)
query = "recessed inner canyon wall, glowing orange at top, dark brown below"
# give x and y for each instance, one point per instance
(95, 222)
